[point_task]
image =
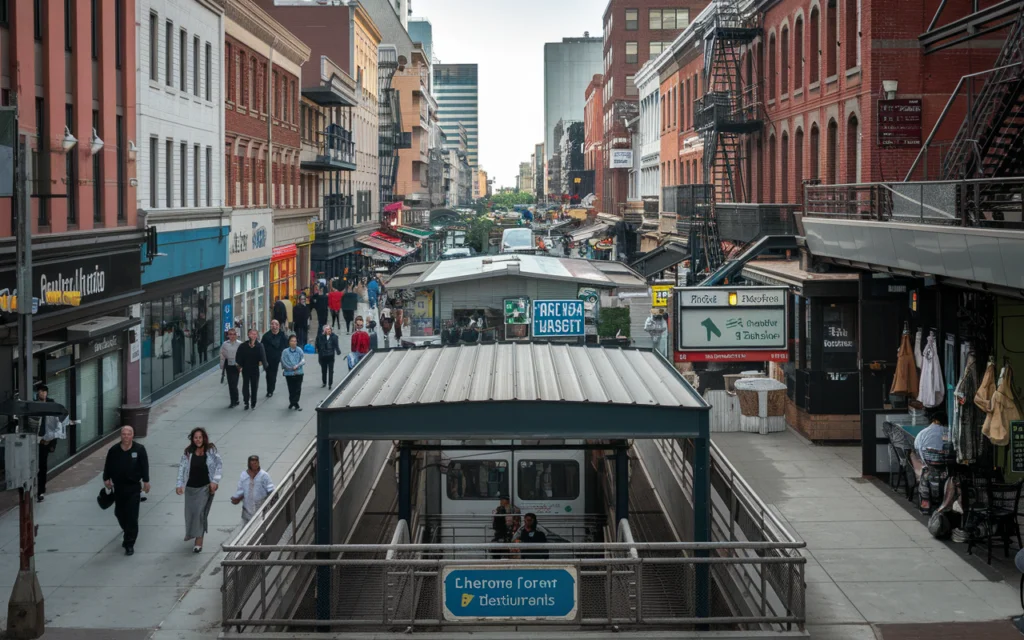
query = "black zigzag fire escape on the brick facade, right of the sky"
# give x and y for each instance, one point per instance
(729, 111)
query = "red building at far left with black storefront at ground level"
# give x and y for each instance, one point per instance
(72, 76)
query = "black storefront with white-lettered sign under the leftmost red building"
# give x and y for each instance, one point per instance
(80, 353)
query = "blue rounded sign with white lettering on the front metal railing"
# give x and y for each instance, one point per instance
(537, 593)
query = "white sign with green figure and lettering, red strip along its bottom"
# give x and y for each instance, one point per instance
(732, 324)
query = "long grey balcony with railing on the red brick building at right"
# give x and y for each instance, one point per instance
(966, 232)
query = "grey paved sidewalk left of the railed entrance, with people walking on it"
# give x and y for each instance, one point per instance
(165, 591)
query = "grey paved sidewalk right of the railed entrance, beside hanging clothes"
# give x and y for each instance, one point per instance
(872, 563)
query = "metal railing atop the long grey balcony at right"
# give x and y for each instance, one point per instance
(994, 203)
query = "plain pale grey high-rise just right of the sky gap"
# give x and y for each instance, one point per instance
(569, 68)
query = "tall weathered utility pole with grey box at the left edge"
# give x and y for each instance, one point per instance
(25, 610)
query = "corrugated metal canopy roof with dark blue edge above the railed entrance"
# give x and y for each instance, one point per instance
(514, 392)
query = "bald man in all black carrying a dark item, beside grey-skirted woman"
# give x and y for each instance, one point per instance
(127, 466)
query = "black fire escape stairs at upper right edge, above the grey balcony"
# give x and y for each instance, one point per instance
(991, 143)
